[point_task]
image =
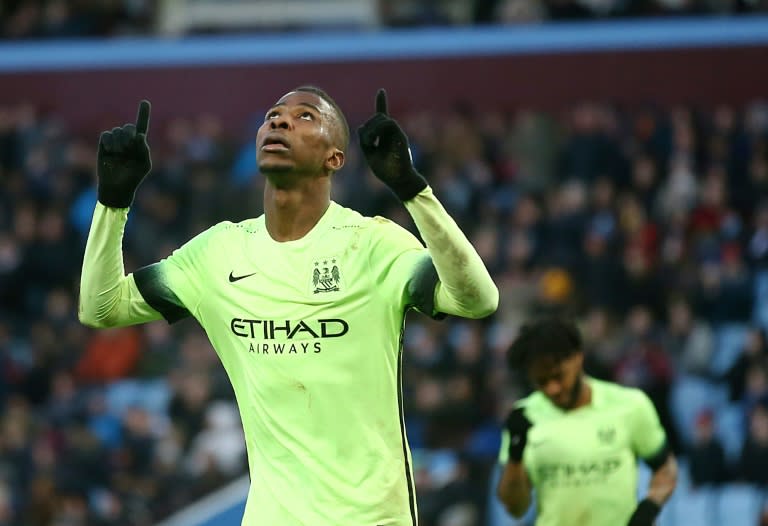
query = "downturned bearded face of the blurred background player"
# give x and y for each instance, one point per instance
(560, 381)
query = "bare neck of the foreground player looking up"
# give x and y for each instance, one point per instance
(292, 211)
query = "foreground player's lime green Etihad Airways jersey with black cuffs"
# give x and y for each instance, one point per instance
(309, 332)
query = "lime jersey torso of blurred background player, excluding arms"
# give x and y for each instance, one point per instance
(582, 466)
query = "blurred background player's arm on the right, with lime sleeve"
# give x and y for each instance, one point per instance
(650, 443)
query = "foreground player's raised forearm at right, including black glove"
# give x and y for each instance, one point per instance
(465, 287)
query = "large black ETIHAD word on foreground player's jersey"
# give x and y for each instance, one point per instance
(289, 329)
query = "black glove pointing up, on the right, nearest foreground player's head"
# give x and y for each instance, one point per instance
(386, 150)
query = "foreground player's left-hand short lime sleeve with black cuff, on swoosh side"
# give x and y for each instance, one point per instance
(175, 285)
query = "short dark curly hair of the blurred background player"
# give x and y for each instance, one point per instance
(555, 338)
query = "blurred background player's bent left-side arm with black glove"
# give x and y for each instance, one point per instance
(514, 488)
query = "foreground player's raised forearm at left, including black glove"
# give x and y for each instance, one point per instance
(109, 298)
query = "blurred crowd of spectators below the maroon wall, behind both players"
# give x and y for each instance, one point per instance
(649, 225)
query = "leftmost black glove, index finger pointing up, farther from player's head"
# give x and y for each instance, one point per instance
(123, 160)
